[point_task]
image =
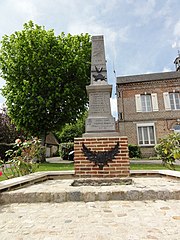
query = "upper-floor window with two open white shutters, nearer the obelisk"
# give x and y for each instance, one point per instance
(146, 102)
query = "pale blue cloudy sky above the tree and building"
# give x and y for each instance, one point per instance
(141, 36)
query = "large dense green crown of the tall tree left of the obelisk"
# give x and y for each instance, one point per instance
(45, 78)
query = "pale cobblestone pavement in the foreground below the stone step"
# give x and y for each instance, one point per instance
(110, 220)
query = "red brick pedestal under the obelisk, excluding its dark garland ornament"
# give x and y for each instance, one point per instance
(119, 167)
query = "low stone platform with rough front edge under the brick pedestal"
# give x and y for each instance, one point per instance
(143, 188)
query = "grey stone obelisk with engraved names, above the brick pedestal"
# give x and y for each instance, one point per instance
(99, 121)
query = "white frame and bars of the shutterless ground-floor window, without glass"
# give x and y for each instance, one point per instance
(146, 125)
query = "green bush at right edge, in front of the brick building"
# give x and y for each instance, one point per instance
(168, 149)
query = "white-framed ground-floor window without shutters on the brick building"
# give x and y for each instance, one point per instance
(146, 134)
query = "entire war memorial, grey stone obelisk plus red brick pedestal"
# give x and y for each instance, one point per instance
(101, 152)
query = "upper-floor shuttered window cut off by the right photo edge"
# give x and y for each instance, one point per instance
(172, 100)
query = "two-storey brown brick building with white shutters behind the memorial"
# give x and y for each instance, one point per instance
(149, 107)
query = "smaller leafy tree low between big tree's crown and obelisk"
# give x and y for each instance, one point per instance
(70, 131)
